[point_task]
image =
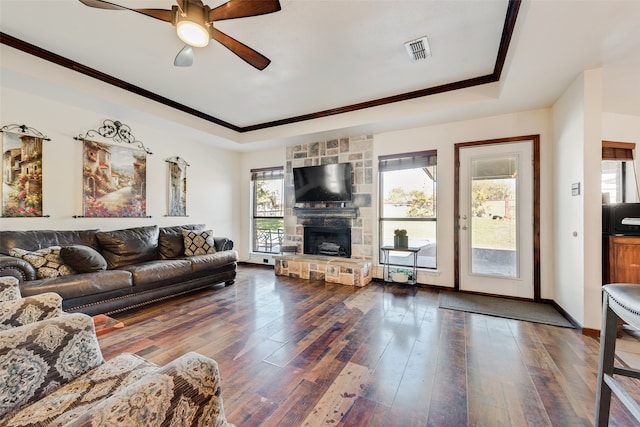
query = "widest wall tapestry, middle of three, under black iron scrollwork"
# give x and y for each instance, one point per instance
(114, 177)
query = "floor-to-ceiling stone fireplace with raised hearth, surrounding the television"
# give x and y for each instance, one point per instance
(334, 240)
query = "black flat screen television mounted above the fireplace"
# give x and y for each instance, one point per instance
(325, 183)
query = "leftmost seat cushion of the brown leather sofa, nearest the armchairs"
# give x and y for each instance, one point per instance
(79, 285)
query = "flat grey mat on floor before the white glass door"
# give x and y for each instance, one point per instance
(504, 307)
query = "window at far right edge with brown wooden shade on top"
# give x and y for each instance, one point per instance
(618, 172)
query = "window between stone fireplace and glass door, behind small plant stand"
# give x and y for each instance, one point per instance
(408, 202)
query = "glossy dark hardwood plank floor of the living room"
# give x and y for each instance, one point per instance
(302, 353)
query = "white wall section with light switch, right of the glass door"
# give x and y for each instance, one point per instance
(578, 133)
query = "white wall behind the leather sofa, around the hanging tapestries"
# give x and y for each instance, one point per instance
(212, 177)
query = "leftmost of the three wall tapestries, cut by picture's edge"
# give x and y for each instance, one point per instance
(21, 171)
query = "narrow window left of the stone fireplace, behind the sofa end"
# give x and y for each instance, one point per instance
(268, 209)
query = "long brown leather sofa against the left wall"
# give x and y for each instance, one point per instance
(113, 271)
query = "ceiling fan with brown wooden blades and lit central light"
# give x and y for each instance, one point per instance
(194, 24)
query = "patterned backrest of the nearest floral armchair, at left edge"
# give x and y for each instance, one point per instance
(40, 357)
